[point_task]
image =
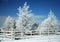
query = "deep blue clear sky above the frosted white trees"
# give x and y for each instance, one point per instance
(38, 7)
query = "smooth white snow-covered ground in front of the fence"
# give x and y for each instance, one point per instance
(51, 38)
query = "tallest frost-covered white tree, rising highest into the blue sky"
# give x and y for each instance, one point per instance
(24, 18)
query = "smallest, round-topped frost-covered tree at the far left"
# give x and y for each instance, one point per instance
(9, 23)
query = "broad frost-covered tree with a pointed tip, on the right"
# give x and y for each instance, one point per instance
(50, 24)
